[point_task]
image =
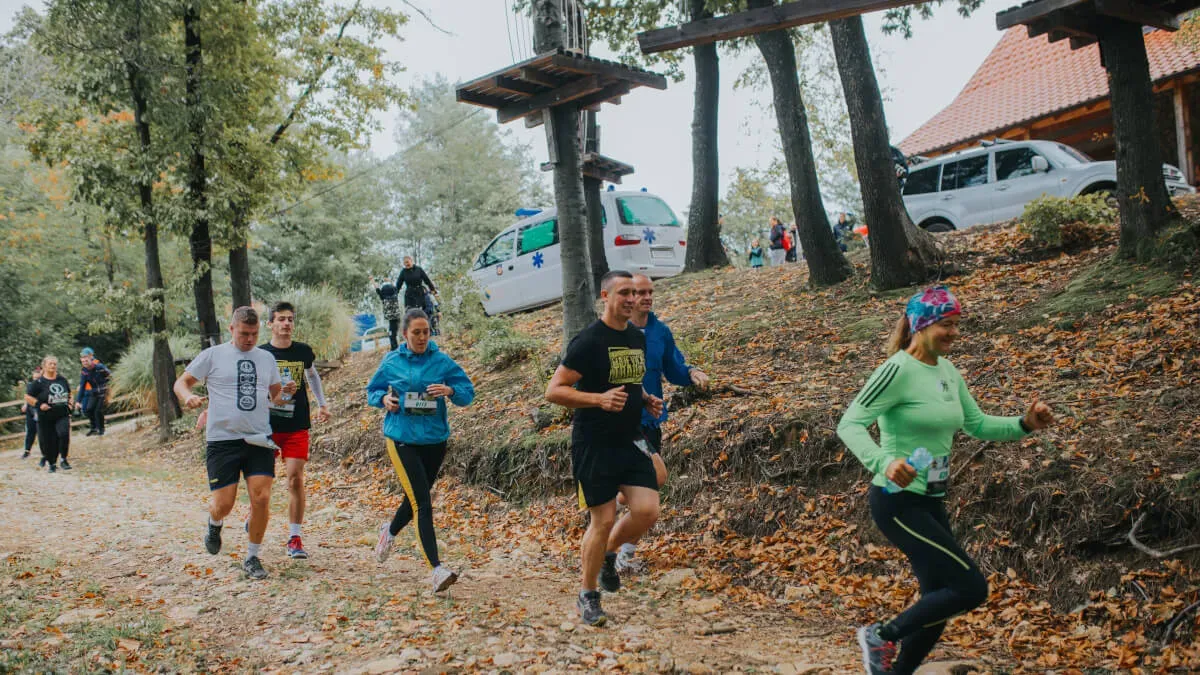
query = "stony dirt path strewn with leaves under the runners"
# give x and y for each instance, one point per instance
(104, 566)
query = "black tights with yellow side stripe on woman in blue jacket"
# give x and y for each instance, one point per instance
(417, 467)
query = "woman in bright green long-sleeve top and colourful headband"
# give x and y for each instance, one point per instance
(921, 401)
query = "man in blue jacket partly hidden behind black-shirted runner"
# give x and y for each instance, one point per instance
(663, 360)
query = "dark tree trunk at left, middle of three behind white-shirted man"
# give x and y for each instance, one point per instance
(197, 184)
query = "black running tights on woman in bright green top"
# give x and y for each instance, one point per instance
(951, 583)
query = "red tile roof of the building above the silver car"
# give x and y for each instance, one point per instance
(1027, 79)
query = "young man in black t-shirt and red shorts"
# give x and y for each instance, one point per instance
(291, 421)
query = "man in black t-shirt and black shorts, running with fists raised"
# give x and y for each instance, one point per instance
(602, 379)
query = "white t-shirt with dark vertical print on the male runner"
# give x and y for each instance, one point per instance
(238, 385)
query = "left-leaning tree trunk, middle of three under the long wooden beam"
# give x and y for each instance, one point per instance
(827, 266)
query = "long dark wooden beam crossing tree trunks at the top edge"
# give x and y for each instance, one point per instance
(753, 22)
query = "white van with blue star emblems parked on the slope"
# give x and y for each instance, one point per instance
(521, 268)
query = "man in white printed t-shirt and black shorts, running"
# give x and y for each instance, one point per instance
(242, 381)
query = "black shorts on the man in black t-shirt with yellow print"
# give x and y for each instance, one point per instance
(602, 470)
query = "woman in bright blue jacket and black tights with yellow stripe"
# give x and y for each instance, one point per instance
(412, 385)
